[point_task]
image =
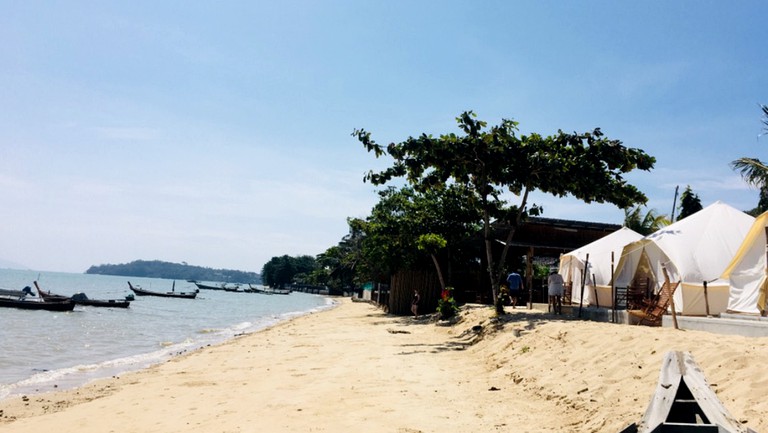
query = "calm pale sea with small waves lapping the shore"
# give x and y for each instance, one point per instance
(43, 351)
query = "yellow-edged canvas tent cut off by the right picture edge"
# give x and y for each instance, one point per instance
(746, 274)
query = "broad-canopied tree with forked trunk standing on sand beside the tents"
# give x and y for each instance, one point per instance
(587, 165)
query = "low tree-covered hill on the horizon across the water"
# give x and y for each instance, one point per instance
(175, 271)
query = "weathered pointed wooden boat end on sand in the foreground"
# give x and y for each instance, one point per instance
(684, 402)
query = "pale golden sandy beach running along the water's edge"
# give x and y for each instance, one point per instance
(354, 368)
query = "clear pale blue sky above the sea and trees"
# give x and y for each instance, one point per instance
(219, 133)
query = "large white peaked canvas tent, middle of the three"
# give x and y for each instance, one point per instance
(693, 250)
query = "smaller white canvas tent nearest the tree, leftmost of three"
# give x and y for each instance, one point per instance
(603, 254)
